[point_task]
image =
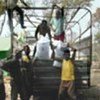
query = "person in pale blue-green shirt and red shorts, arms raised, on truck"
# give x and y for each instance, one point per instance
(57, 23)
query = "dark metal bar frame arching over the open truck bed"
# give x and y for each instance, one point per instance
(77, 9)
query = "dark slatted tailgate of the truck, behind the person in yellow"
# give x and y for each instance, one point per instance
(47, 77)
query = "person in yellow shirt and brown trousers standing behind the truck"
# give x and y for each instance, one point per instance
(67, 75)
